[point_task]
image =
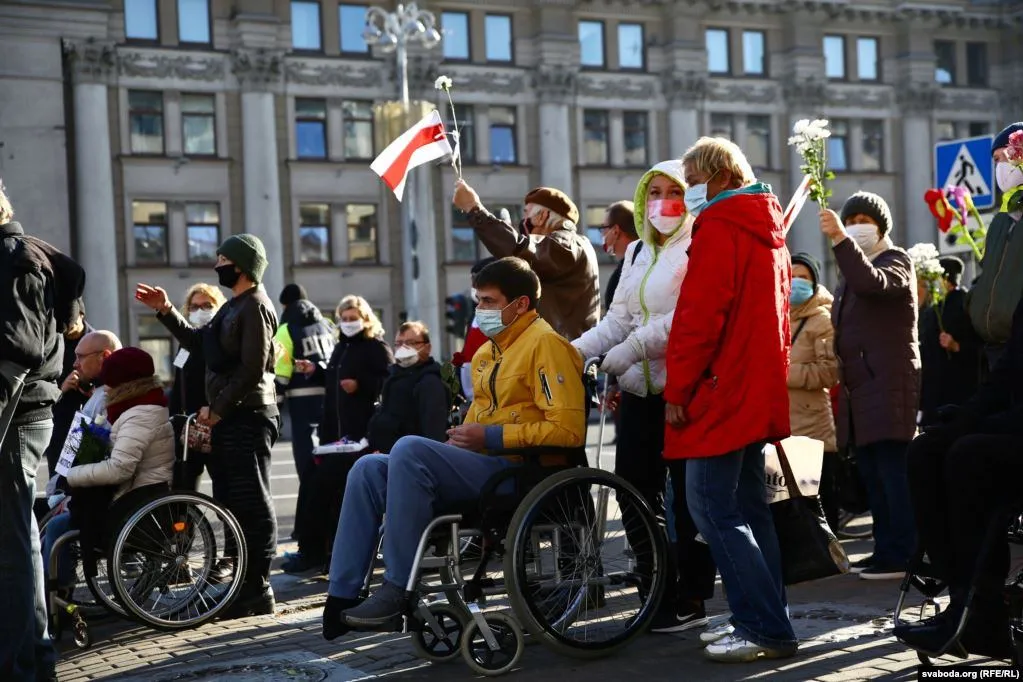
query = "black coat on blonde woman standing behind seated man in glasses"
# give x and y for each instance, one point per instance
(369, 362)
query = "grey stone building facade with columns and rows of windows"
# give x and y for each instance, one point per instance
(138, 134)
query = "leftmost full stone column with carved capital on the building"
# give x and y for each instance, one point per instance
(93, 66)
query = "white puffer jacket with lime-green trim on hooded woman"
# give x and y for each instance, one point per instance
(641, 314)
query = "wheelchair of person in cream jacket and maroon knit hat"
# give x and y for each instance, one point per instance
(172, 560)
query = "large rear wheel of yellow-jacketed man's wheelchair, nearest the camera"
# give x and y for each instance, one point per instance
(586, 563)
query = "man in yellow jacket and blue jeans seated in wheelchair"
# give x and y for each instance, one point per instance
(528, 394)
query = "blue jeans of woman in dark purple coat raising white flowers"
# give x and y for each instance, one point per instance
(883, 467)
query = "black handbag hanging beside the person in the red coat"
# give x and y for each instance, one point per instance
(810, 549)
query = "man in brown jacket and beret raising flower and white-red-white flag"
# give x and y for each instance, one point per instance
(563, 259)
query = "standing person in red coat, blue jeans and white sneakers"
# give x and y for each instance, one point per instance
(727, 391)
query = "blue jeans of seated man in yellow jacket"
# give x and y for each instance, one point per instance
(406, 485)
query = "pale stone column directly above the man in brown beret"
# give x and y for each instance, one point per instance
(556, 89)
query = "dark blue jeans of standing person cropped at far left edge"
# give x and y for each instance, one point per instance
(26, 651)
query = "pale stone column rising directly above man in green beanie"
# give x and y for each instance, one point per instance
(260, 76)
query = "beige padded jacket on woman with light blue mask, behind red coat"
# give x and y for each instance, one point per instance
(814, 371)
